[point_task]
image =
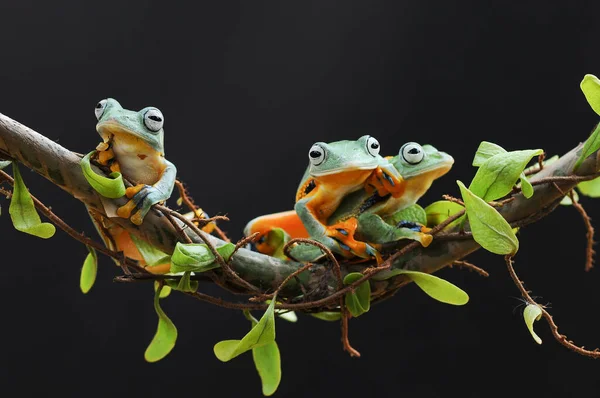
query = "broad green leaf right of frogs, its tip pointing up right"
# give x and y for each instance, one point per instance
(497, 175)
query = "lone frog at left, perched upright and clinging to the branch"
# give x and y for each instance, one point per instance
(133, 144)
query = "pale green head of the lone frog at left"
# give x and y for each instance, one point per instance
(145, 125)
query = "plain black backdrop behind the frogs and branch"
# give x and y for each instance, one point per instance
(246, 88)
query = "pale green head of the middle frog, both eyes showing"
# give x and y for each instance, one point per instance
(342, 156)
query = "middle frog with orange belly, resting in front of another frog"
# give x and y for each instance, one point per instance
(335, 170)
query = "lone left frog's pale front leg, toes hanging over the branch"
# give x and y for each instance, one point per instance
(143, 197)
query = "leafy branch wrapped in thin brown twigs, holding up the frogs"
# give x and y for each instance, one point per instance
(504, 197)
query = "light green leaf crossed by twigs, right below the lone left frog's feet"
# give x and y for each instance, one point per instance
(196, 257)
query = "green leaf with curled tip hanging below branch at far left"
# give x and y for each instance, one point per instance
(22, 210)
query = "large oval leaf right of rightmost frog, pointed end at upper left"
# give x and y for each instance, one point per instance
(489, 228)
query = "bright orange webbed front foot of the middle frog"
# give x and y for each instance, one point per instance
(341, 239)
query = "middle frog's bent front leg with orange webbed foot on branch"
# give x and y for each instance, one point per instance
(339, 237)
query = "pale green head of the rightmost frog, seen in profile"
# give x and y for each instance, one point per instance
(423, 162)
